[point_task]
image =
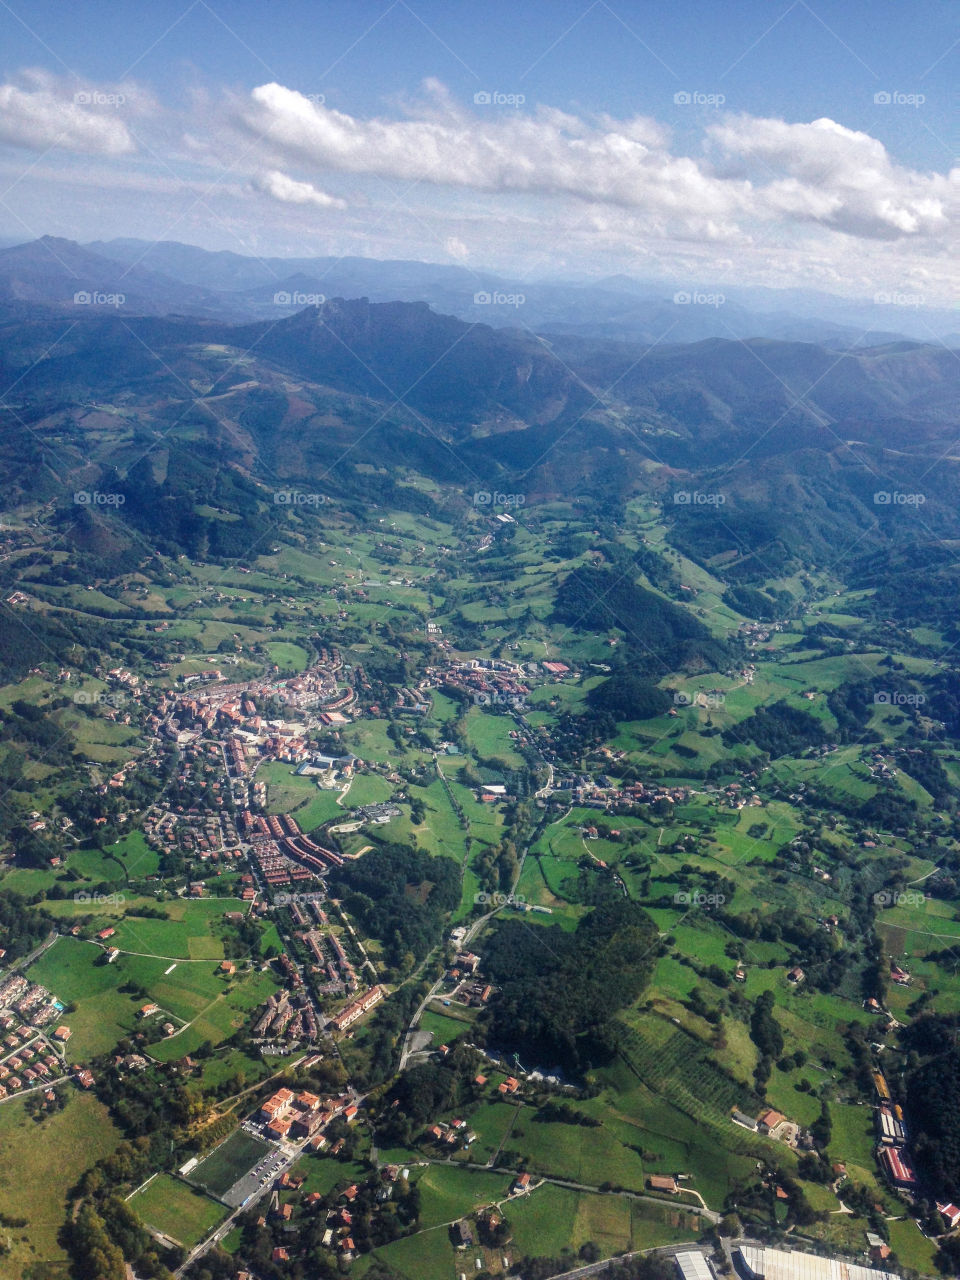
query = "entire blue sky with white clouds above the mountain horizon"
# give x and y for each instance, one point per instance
(785, 145)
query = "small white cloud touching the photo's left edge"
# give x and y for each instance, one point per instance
(43, 113)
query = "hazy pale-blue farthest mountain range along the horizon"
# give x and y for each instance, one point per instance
(167, 277)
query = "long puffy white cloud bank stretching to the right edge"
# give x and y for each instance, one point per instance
(766, 172)
